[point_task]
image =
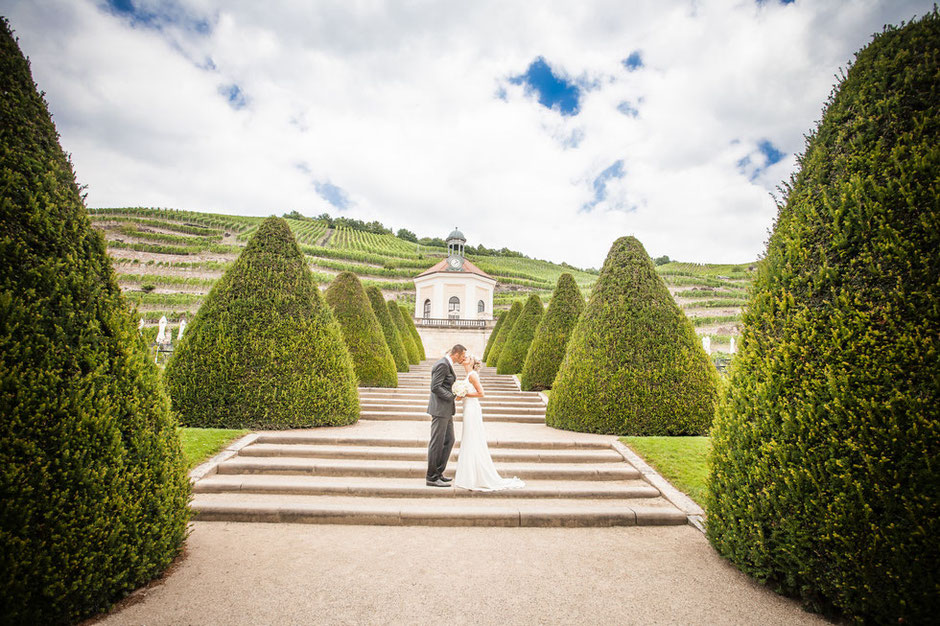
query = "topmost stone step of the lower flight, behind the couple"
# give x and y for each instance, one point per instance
(320, 438)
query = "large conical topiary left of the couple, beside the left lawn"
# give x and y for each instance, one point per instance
(264, 350)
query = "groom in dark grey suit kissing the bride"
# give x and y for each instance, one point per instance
(442, 407)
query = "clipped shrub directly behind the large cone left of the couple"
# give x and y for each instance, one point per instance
(375, 365)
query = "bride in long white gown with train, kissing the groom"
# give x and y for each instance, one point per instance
(475, 469)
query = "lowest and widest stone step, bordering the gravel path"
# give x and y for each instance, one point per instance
(437, 512)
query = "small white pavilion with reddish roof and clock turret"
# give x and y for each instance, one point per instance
(454, 288)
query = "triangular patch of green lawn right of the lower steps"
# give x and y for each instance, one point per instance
(683, 461)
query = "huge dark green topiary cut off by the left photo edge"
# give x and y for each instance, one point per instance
(92, 477)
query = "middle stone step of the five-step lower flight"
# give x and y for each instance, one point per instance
(417, 469)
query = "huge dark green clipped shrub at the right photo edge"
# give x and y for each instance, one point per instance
(824, 480)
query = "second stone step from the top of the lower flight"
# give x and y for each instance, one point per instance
(415, 453)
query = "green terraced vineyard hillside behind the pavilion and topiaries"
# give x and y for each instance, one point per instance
(167, 260)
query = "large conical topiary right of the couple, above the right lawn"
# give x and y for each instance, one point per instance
(634, 365)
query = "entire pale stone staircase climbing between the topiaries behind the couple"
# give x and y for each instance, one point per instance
(373, 472)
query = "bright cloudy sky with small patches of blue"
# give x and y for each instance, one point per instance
(548, 127)
